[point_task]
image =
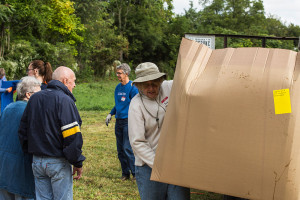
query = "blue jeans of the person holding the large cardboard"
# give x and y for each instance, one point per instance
(152, 190)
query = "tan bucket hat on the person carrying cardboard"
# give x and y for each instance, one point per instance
(146, 72)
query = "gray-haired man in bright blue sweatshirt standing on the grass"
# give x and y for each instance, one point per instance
(124, 92)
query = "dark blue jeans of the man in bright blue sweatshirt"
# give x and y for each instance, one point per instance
(125, 153)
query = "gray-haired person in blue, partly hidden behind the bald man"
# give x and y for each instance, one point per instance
(16, 178)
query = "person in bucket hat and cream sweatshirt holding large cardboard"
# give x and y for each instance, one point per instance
(145, 119)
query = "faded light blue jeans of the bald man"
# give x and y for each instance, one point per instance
(53, 178)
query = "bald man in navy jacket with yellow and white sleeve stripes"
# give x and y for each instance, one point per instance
(50, 130)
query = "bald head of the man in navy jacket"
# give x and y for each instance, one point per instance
(66, 76)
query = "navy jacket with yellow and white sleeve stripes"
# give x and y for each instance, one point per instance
(50, 125)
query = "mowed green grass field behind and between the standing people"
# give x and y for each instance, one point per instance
(101, 170)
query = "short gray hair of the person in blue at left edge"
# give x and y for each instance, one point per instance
(27, 84)
